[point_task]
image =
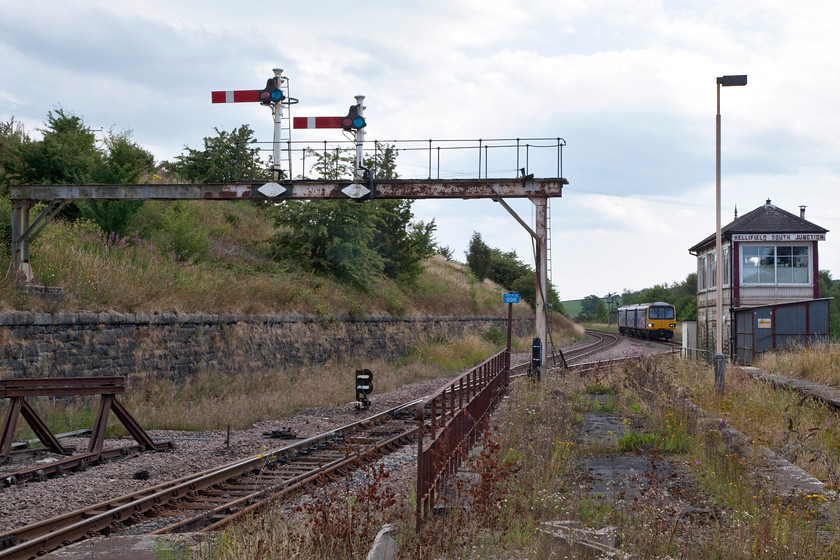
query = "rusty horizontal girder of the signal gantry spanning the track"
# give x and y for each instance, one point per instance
(403, 188)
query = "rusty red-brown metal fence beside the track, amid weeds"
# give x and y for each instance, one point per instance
(451, 421)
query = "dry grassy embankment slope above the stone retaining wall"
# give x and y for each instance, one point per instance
(234, 273)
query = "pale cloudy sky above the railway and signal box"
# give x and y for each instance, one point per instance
(629, 86)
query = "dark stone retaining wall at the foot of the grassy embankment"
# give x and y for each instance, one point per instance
(92, 344)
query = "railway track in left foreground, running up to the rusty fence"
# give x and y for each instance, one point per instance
(210, 499)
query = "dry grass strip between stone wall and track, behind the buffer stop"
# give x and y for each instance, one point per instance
(212, 401)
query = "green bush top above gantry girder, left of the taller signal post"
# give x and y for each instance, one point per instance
(227, 157)
